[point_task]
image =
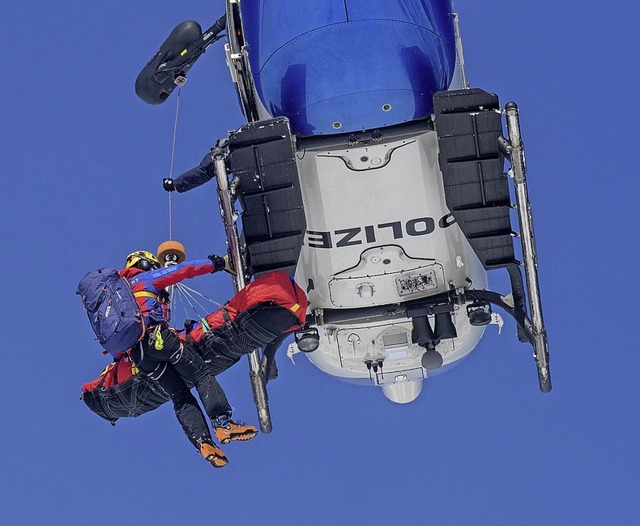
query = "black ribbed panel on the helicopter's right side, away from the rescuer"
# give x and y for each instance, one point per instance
(468, 124)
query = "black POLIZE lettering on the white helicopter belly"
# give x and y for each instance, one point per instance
(358, 235)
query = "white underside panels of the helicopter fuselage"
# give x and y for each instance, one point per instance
(379, 232)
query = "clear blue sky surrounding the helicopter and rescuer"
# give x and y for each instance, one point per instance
(82, 161)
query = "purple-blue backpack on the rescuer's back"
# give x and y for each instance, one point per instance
(112, 309)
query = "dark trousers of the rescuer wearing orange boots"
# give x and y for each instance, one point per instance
(175, 366)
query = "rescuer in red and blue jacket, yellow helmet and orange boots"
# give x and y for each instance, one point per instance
(175, 365)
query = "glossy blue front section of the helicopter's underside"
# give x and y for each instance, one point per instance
(345, 65)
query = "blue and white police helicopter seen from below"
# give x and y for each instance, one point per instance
(371, 171)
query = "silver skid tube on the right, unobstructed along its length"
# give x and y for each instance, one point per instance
(514, 150)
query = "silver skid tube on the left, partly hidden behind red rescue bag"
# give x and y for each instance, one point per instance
(229, 215)
